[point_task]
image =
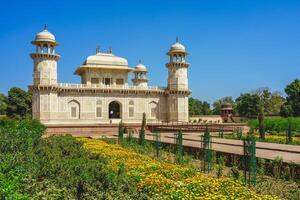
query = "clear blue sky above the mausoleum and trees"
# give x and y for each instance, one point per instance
(235, 46)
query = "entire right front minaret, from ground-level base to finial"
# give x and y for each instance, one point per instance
(178, 91)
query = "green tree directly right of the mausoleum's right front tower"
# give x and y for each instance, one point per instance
(197, 107)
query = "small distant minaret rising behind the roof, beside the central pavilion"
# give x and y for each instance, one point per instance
(140, 75)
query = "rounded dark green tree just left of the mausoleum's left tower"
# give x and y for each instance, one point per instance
(19, 103)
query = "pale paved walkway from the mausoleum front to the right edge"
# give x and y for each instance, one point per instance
(289, 153)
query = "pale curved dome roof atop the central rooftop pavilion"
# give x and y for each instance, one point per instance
(106, 59)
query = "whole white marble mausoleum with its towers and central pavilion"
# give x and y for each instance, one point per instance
(105, 95)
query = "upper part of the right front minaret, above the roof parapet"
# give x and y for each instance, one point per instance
(177, 67)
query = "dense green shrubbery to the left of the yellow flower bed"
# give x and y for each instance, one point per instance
(56, 167)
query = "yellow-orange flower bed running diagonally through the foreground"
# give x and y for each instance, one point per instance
(160, 180)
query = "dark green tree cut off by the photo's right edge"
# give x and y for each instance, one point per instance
(293, 98)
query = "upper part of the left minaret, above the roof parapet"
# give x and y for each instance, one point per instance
(44, 59)
